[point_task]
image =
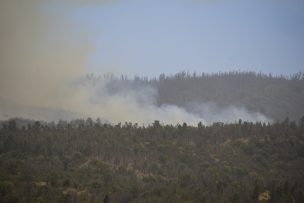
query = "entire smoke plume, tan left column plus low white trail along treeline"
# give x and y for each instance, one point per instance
(43, 59)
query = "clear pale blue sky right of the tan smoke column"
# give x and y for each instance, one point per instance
(147, 38)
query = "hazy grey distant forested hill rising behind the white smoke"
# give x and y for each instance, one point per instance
(277, 97)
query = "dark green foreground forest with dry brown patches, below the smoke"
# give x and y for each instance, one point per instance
(89, 161)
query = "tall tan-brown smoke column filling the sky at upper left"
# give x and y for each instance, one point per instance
(41, 55)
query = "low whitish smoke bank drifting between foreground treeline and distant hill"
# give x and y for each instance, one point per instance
(138, 103)
